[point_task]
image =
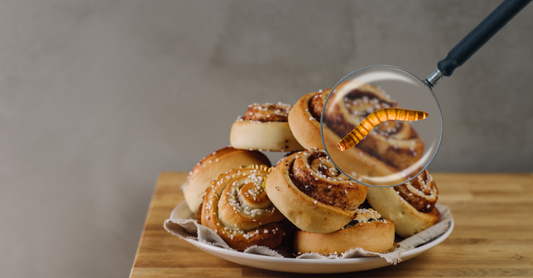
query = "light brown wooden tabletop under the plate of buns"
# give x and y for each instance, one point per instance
(493, 235)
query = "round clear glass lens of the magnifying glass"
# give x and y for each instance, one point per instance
(391, 152)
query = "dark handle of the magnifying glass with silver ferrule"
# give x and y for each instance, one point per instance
(478, 37)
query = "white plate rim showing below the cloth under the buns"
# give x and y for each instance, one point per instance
(303, 265)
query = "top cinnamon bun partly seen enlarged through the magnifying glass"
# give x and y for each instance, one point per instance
(390, 147)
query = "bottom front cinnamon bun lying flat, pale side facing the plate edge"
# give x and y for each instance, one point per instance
(368, 230)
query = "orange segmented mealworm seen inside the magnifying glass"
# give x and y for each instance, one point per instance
(375, 118)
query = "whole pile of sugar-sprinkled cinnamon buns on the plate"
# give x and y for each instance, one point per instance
(304, 201)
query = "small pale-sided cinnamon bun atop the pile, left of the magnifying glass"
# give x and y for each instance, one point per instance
(264, 127)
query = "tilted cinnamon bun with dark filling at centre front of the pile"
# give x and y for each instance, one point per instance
(312, 193)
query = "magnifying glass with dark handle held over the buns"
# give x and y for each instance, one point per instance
(365, 127)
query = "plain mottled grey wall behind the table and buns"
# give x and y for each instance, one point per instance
(98, 97)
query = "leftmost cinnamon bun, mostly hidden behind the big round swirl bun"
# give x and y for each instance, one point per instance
(214, 164)
